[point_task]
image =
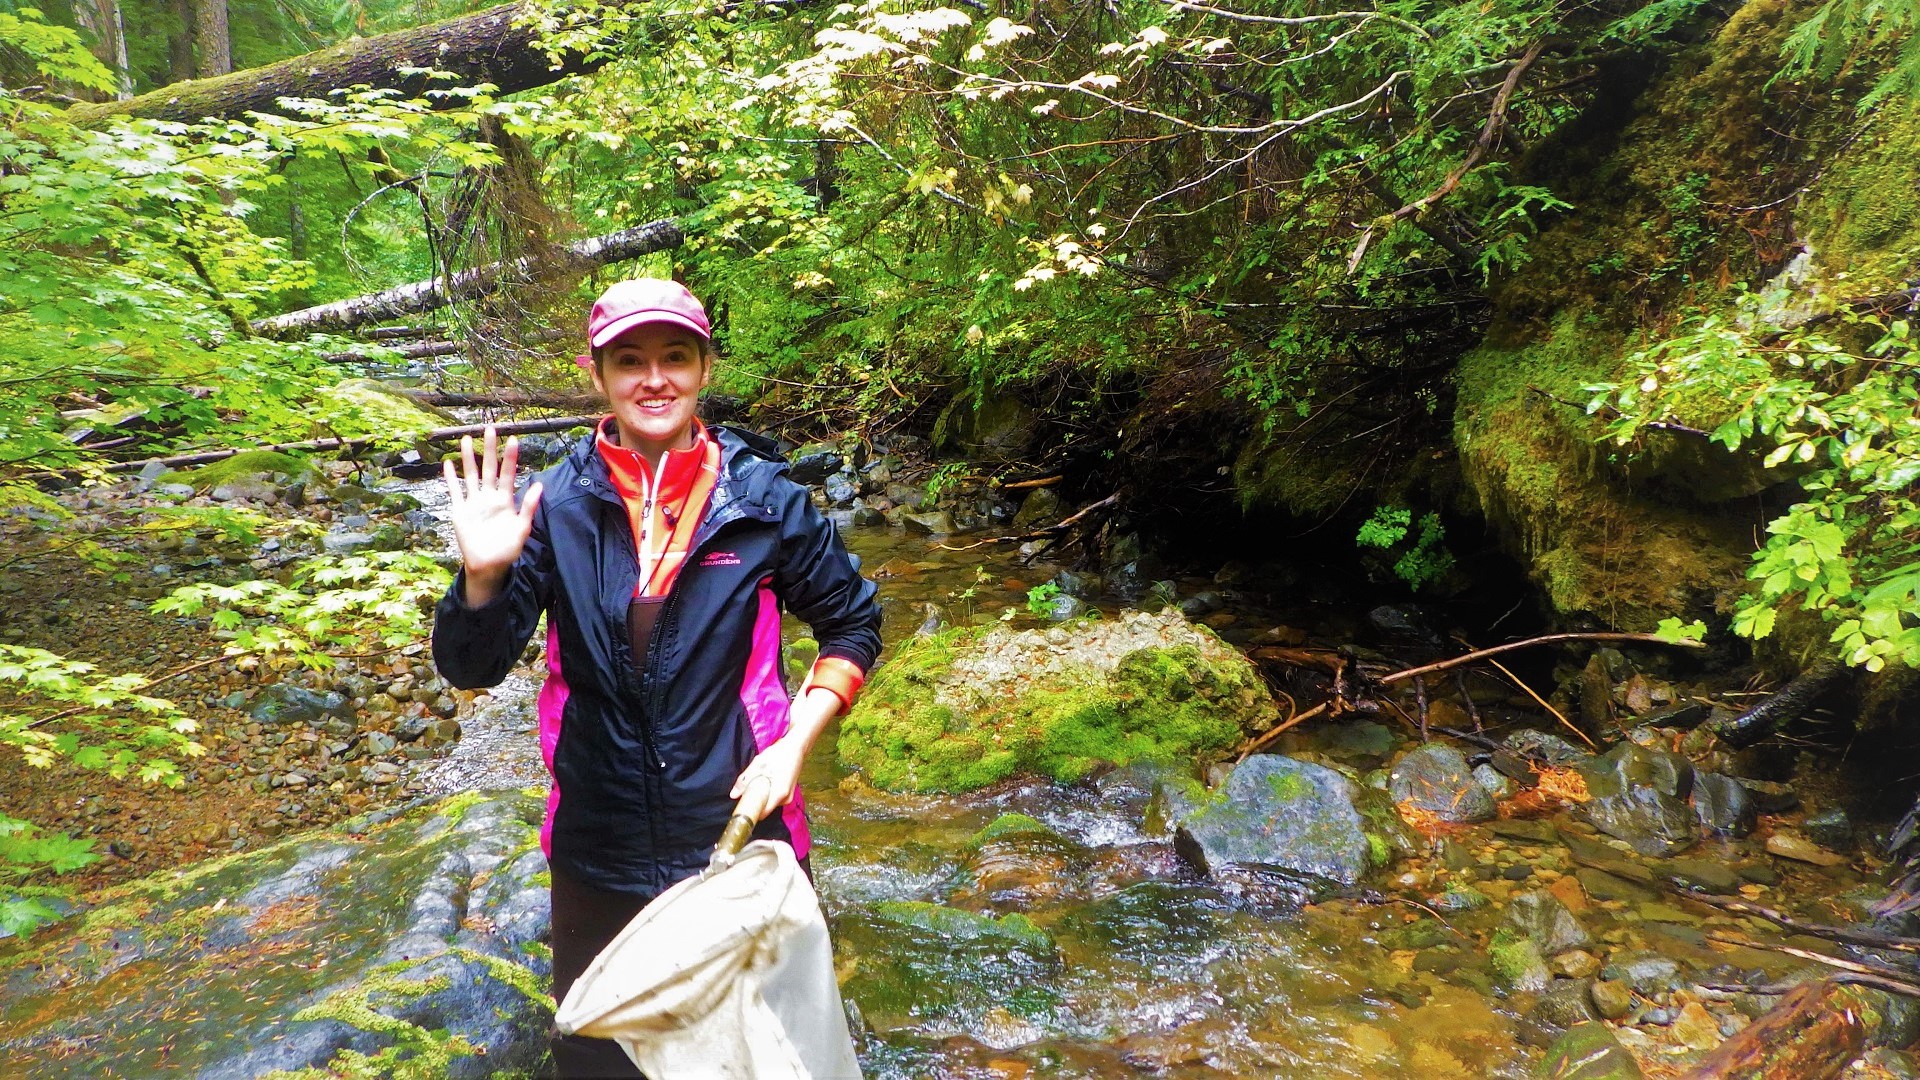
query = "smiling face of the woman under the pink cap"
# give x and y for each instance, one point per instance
(652, 378)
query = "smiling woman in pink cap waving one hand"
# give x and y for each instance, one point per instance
(661, 552)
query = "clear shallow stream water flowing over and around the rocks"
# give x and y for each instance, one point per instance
(1093, 950)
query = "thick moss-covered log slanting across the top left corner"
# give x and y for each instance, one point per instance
(496, 47)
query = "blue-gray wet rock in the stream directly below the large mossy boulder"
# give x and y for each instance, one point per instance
(1276, 812)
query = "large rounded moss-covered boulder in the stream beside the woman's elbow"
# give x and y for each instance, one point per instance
(971, 708)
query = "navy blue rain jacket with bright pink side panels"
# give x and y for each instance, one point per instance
(644, 754)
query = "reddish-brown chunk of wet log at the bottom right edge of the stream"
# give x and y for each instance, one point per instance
(1812, 1035)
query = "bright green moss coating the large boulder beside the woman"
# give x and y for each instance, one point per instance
(1157, 704)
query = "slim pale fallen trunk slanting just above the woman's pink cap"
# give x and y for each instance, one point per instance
(469, 283)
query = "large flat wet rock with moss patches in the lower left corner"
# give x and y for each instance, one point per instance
(289, 956)
